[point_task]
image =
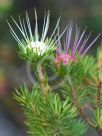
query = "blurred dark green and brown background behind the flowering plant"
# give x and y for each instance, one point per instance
(13, 69)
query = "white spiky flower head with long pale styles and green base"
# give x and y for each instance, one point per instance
(39, 45)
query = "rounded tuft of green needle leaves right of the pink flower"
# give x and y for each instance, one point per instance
(84, 68)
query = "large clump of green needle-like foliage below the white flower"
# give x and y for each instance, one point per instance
(49, 116)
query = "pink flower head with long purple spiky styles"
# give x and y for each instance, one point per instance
(78, 46)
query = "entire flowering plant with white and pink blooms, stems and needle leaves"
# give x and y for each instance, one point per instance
(59, 107)
